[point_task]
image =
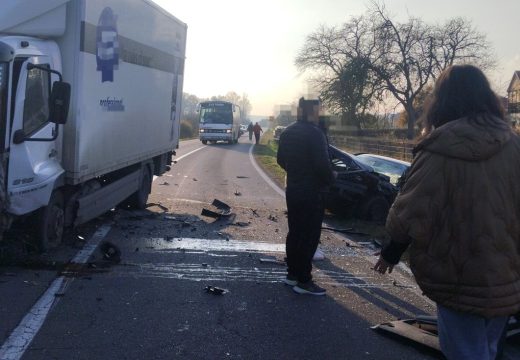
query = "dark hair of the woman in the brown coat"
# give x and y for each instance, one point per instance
(461, 91)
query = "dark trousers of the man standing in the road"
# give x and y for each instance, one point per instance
(305, 215)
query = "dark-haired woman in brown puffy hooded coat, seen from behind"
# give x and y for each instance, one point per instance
(459, 211)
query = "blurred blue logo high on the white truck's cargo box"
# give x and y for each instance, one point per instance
(107, 45)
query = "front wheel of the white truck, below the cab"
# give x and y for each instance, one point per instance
(50, 223)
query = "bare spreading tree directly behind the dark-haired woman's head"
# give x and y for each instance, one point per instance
(409, 56)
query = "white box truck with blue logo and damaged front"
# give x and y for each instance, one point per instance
(90, 95)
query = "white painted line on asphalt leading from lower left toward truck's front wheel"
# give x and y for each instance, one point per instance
(21, 337)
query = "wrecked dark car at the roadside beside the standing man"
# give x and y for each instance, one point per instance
(359, 189)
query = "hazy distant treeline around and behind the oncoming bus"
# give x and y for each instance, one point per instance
(190, 119)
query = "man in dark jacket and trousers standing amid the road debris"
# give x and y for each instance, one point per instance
(303, 154)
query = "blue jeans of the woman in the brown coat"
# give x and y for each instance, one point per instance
(464, 336)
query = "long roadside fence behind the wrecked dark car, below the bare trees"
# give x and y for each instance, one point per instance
(398, 149)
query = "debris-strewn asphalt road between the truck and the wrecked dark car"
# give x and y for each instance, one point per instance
(153, 304)
